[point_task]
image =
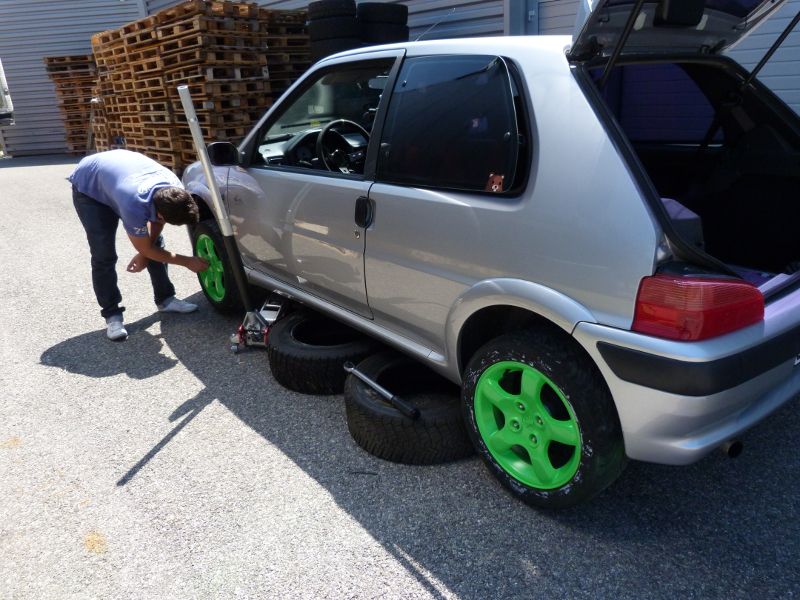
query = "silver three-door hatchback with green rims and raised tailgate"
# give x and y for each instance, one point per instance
(596, 237)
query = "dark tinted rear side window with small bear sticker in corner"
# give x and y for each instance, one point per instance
(452, 124)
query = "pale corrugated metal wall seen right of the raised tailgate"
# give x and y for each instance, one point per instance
(782, 72)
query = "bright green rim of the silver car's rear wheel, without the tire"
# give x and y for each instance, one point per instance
(520, 429)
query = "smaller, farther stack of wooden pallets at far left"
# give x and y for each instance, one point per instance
(74, 78)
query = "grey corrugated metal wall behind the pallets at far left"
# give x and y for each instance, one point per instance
(33, 29)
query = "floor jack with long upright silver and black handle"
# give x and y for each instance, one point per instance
(254, 327)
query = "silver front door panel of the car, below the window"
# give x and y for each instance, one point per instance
(300, 229)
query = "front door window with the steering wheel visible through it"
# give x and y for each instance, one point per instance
(327, 124)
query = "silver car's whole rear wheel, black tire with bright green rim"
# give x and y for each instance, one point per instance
(542, 419)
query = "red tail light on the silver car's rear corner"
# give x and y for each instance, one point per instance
(688, 308)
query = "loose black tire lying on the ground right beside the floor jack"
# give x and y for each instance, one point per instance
(307, 352)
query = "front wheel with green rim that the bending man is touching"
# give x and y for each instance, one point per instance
(217, 282)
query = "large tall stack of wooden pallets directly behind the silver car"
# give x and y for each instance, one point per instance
(235, 57)
